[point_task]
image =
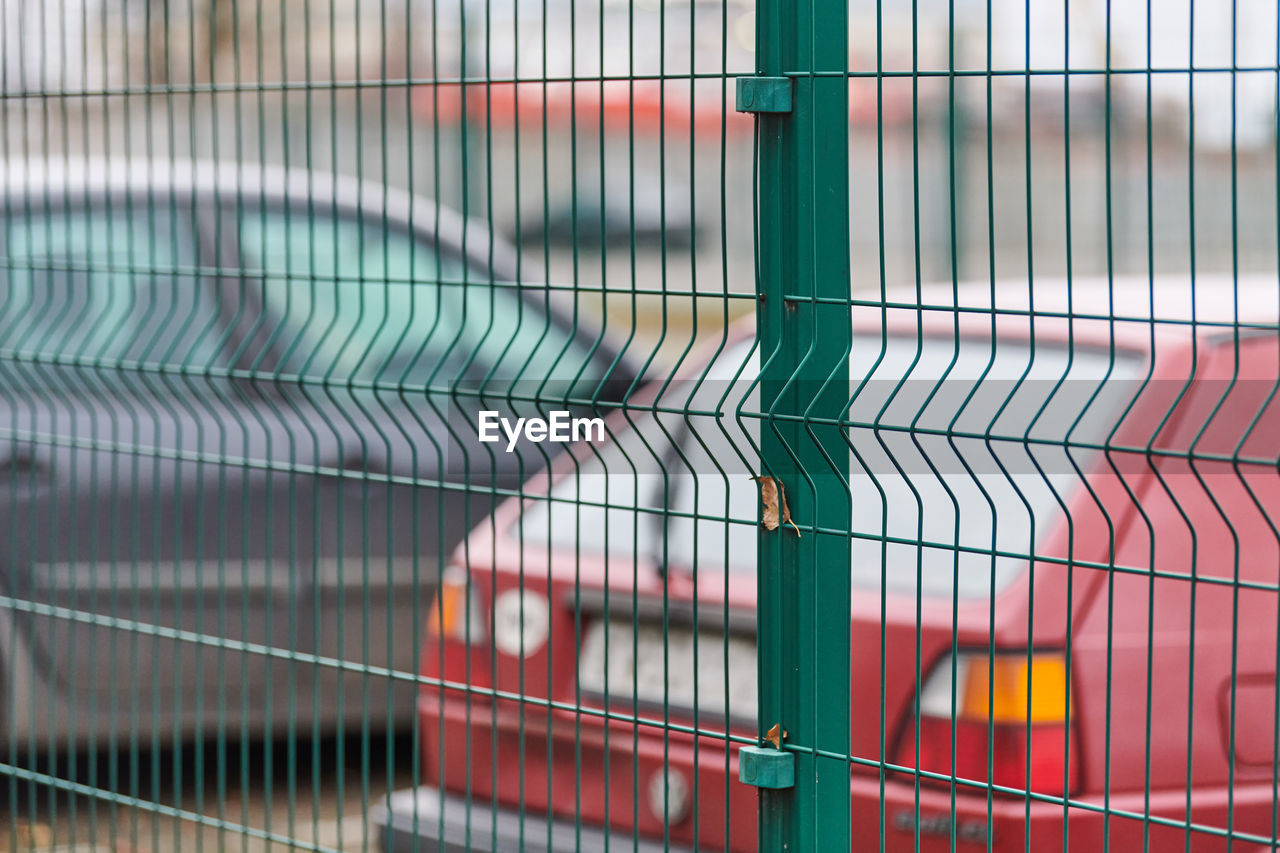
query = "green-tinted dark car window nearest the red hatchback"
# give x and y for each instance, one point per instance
(360, 300)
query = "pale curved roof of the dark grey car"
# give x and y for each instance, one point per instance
(57, 179)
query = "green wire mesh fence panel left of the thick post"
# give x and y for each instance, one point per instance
(290, 290)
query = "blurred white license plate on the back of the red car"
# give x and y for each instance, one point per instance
(642, 664)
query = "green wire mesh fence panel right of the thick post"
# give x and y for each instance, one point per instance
(1064, 307)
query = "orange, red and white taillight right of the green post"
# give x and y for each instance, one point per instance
(1013, 718)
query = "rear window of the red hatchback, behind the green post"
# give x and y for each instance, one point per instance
(926, 505)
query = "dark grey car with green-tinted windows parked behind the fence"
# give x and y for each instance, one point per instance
(237, 407)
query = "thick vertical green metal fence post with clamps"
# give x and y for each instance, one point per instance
(806, 339)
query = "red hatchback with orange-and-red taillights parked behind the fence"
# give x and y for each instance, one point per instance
(587, 631)
